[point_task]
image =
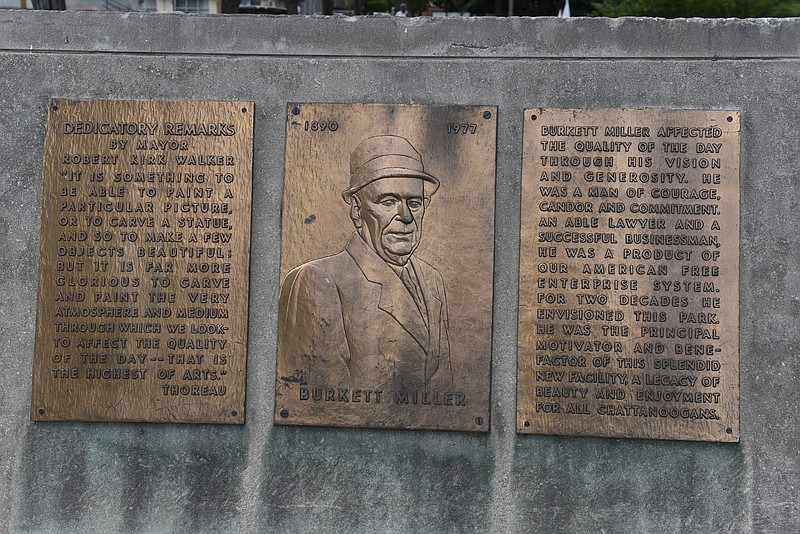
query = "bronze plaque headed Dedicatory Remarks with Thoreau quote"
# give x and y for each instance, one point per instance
(143, 272)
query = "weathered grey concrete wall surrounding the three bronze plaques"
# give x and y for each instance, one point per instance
(258, 478)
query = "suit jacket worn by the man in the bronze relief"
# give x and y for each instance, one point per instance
(347, 320)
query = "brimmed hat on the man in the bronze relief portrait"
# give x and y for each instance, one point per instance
(385, 156)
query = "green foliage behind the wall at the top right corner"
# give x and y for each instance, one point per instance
(697, 8)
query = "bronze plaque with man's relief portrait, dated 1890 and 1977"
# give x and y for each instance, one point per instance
(382, 324)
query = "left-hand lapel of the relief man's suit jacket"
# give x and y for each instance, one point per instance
(395, 298)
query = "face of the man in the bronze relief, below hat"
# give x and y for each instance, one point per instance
(388, 214)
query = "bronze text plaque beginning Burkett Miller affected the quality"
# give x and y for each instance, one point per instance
(629, 274)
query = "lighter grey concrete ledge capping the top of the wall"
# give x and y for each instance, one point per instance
(267, 35)
